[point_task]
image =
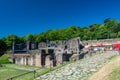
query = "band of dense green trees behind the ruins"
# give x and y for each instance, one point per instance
(110, 29)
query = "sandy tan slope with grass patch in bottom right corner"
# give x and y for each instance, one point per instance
(110, 71)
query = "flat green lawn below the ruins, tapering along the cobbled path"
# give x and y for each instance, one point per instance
(11, 70)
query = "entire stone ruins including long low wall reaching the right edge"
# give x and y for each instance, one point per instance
(51, 53)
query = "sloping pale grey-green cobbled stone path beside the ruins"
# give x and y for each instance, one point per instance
(79, 70)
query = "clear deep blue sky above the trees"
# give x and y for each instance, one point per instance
(22, 17)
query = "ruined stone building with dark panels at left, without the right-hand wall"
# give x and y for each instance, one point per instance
(46, 54)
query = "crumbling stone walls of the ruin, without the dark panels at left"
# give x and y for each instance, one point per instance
(49, 54)
